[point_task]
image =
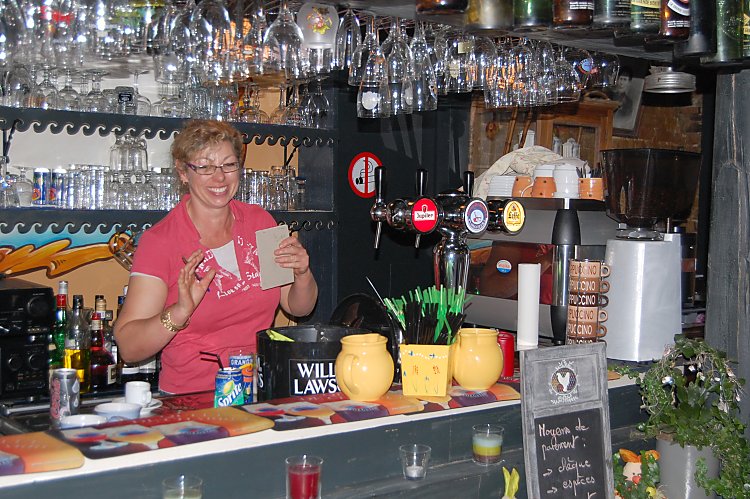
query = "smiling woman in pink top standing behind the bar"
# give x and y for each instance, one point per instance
(195, 280)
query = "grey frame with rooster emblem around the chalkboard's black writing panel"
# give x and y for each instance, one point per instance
(584, 369)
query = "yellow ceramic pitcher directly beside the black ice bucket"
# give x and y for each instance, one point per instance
(364, 368)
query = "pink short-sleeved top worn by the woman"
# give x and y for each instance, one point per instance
(233, 310)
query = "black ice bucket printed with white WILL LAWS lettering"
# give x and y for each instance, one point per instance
(302, 367)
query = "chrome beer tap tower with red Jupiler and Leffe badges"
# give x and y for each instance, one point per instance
(454, 214)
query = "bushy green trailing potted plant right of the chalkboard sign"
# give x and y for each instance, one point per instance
(692, 398)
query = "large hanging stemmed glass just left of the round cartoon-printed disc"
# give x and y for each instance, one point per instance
(282, 46)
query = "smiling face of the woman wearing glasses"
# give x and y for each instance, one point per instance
(216, 190)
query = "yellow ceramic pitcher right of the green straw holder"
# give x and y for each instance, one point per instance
(477, 358)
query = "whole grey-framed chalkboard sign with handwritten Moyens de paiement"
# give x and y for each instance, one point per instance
(567, 443)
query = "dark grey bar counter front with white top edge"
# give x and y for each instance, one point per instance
(361, 458)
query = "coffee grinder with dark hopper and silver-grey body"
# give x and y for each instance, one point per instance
(648, 190)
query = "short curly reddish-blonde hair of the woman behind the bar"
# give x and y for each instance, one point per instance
(197, 135)
